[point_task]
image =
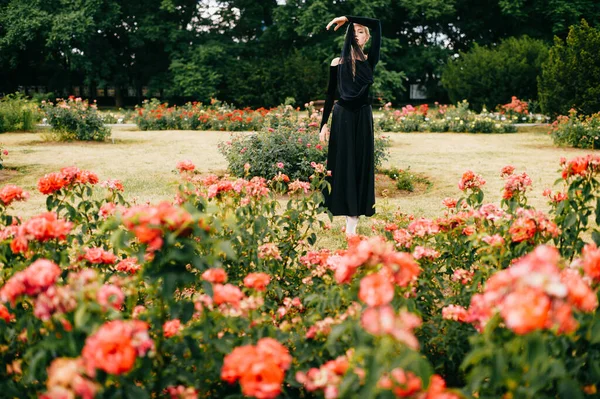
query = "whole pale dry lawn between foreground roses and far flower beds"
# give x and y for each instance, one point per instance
(145, 161)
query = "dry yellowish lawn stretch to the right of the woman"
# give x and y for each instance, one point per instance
(443, 157)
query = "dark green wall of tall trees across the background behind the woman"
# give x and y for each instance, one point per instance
(250, 53)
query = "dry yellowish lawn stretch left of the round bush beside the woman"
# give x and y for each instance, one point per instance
(144, 161)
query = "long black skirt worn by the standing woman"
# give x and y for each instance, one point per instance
(351, 160)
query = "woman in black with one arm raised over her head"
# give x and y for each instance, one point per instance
(351, 142)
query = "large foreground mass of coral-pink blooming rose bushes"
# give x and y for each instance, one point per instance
(222, 292)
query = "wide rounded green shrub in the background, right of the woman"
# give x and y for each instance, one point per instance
(488, 76)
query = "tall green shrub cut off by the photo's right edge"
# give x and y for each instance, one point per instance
(570, 78)
